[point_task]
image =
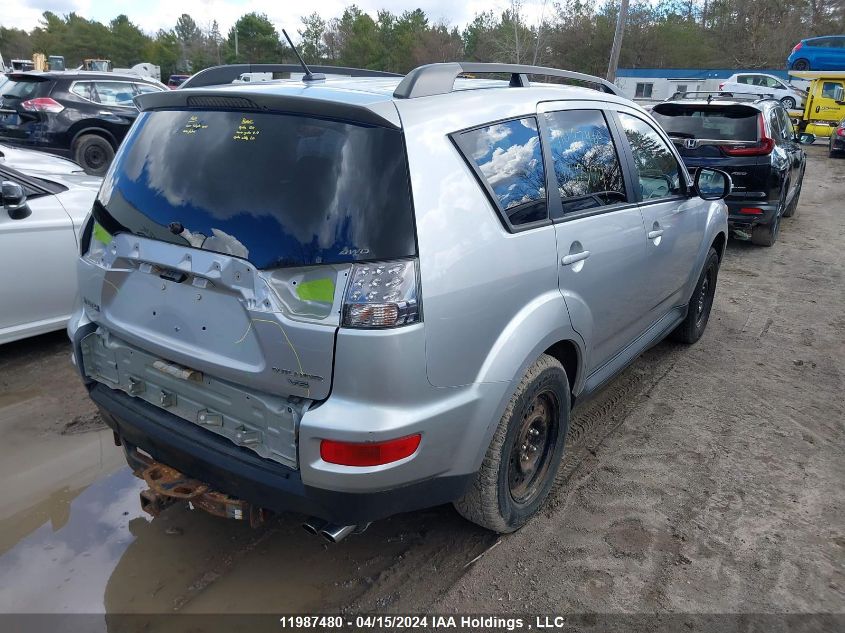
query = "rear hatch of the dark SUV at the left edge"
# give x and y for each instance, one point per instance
(24, 100)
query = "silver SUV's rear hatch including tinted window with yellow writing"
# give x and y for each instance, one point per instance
(228, 237)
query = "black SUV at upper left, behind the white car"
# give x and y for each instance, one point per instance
(80, 115)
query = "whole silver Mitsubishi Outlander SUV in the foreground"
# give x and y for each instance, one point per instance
(366, 294)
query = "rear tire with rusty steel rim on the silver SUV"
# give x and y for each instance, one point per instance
(512, 484)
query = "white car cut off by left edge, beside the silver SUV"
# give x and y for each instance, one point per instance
(44, 202)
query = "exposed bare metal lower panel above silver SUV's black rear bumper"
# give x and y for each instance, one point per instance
(262, 422)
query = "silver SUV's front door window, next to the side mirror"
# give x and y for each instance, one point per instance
(658, 171)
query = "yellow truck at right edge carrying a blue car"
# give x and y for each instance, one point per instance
(825, 104)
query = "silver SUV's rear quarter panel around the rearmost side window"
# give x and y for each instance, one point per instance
(491, 302)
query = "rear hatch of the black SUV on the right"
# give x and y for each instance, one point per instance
(726, 136)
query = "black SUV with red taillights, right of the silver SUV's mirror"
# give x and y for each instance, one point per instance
(750, 138)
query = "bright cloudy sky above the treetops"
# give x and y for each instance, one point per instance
(152, 15)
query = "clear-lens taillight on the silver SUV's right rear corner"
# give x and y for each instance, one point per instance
(381, 295)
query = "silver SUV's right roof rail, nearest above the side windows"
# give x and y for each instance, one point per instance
(436, 79)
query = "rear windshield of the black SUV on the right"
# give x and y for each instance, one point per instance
(734, 122)
